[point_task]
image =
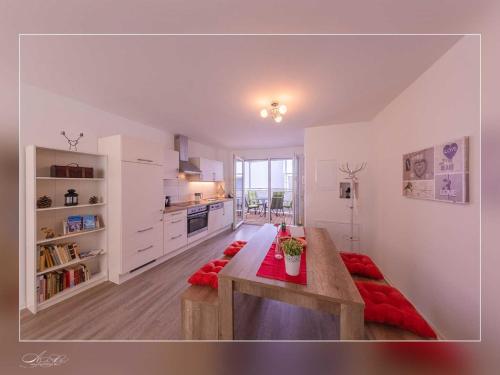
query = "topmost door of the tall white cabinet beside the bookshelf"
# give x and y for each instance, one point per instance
(140, 151)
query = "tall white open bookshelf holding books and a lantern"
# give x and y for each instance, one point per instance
(39, 183)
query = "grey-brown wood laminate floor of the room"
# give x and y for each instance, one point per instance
(147, 307)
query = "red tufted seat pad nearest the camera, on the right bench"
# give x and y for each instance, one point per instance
(385, 304)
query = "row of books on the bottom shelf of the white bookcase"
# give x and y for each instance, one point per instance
(51, 283)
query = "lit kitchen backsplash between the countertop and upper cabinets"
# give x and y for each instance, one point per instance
(182, 190)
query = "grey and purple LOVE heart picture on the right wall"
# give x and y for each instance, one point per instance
(438, 173)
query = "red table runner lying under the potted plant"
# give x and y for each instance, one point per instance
(273, 268)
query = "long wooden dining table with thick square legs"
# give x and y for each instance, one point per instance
(330, 288)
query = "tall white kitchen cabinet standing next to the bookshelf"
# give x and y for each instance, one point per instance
(135, 204)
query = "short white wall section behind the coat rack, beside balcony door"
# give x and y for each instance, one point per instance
(347, 143)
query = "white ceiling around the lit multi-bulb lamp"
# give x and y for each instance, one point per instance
(211, 88)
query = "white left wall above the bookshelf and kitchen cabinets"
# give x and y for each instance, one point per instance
(45, 114)
